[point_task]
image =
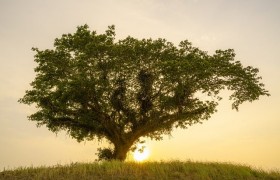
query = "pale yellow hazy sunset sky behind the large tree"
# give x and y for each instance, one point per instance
(250, 136)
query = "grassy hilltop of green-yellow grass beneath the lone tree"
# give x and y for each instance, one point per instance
(147, 170)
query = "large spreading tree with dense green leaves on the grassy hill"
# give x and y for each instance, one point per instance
(94, 86)
